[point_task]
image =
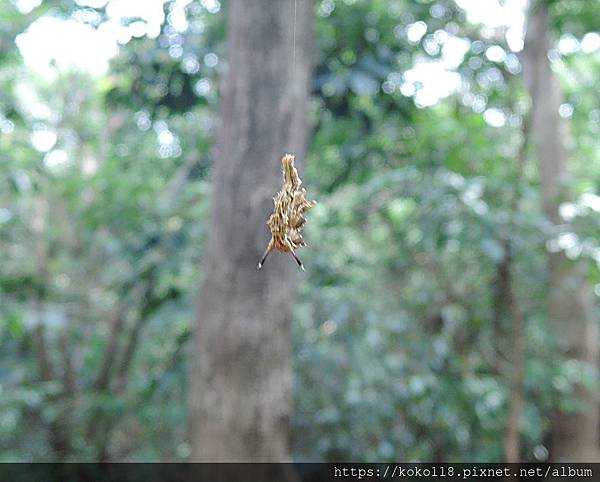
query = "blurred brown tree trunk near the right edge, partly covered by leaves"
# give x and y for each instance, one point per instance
(575, 435)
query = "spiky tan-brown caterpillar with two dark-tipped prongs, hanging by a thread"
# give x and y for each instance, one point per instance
(288, 218)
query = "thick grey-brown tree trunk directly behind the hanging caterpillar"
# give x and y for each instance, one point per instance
(240, 400)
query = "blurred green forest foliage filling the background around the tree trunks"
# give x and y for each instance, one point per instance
(401, 339)
